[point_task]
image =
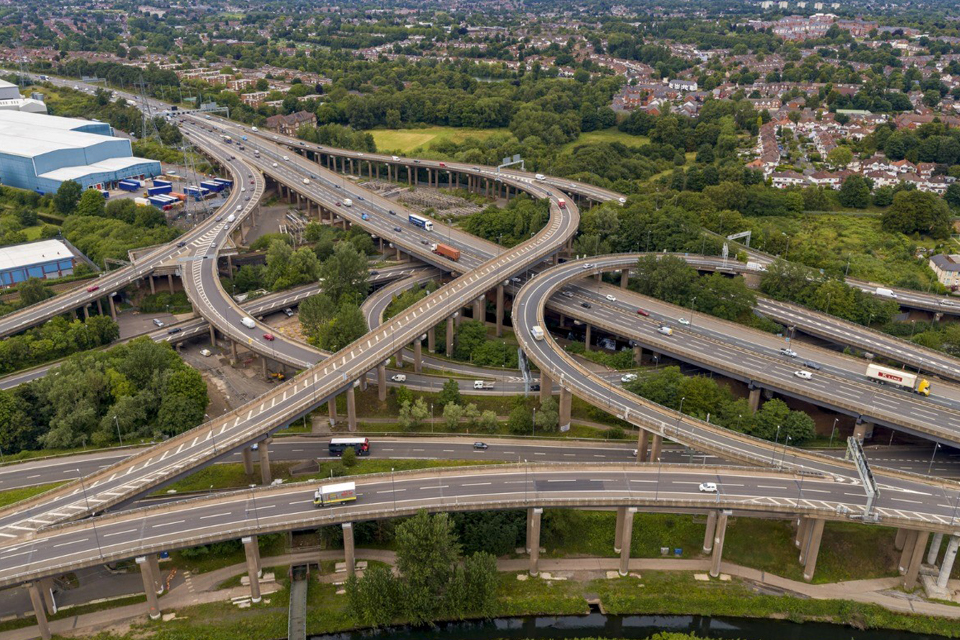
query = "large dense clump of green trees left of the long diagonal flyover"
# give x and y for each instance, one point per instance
(143, 389)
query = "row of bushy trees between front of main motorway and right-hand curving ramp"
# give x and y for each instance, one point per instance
(703, 396)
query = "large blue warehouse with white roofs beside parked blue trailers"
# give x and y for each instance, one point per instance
(39, 152)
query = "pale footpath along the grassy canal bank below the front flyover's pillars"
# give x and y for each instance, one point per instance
(202, 588)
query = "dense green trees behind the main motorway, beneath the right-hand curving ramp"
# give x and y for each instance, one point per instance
(671, 279)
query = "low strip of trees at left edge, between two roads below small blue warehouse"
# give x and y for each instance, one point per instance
(54, 339)
